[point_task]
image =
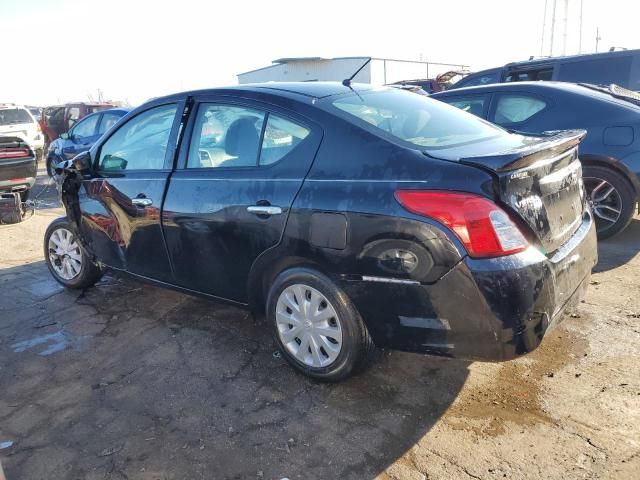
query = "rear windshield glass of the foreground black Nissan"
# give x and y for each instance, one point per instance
(416, 119)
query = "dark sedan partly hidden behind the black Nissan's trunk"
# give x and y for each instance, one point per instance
(610, 153)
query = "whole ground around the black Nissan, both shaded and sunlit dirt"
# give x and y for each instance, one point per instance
(129, 381)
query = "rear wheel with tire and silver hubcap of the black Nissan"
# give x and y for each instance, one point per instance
(355, 348)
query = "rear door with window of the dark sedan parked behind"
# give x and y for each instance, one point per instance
(521, 111)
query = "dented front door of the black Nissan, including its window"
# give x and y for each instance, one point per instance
(121, 210)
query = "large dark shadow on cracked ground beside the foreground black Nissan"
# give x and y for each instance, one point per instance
(132, 381)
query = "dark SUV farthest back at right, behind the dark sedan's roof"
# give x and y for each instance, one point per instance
(621, 68)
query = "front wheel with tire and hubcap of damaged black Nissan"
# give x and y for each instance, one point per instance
(72, 276)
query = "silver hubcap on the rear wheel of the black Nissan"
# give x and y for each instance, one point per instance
(308, 326)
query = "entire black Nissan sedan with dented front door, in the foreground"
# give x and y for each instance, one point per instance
(351, 216)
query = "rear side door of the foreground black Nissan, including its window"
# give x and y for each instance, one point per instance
(241, 166)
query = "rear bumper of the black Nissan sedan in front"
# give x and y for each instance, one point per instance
(483, 309)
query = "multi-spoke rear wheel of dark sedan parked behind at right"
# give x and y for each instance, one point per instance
(622, 199)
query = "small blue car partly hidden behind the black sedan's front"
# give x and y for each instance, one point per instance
(82, 136)
